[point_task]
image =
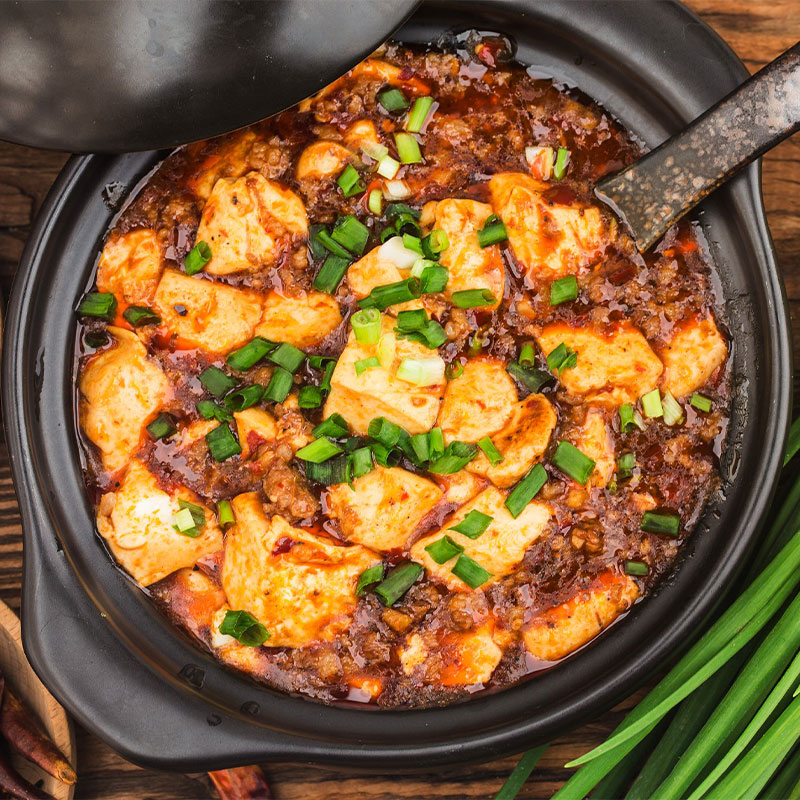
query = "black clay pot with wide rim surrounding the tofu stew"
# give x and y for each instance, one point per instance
(127, 675)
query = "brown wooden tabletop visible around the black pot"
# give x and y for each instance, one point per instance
(758, 30)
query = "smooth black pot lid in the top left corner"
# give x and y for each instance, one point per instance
(120, 75)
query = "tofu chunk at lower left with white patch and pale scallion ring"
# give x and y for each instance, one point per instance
(137, 522)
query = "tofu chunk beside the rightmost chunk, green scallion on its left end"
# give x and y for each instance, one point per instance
(613, 367)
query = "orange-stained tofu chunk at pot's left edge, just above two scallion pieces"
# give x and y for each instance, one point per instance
(130, 267)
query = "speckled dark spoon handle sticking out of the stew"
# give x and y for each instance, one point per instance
(672, 179)
